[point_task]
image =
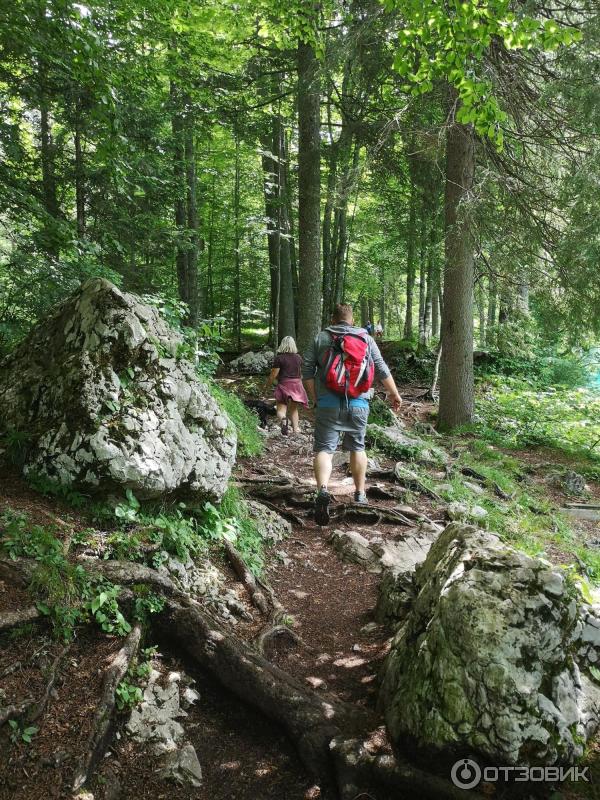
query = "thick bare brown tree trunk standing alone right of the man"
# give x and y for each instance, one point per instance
(456, 368)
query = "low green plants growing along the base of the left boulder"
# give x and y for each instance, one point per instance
(71, 596)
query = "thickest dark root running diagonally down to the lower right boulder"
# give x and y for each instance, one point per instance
(326, 732)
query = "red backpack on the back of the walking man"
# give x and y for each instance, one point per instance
(349, 370)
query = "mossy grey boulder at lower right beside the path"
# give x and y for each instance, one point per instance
(494, 656)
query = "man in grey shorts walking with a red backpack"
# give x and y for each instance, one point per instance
(338, 373)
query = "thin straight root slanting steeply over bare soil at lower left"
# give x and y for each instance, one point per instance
(104, 717)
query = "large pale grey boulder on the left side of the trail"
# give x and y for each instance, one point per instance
(105, 400)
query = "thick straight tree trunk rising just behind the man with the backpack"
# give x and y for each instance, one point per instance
(309, 185)
